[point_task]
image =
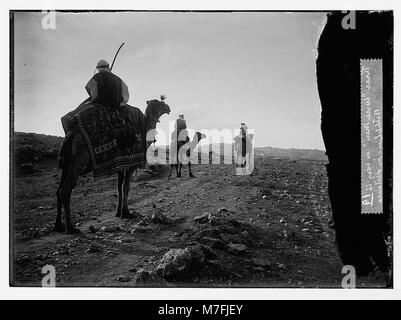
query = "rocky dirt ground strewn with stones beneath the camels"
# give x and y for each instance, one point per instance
(279, 227)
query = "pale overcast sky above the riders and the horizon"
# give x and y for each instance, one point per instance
(218, 69)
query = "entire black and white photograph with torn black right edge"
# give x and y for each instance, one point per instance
(201, 148)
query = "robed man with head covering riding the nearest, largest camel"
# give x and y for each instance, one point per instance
(104, 88)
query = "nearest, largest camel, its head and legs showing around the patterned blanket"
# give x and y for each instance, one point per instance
(75, 160)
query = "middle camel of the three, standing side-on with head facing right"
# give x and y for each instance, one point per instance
(175, 147)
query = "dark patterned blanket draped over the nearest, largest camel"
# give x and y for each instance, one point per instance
(116, 137)
